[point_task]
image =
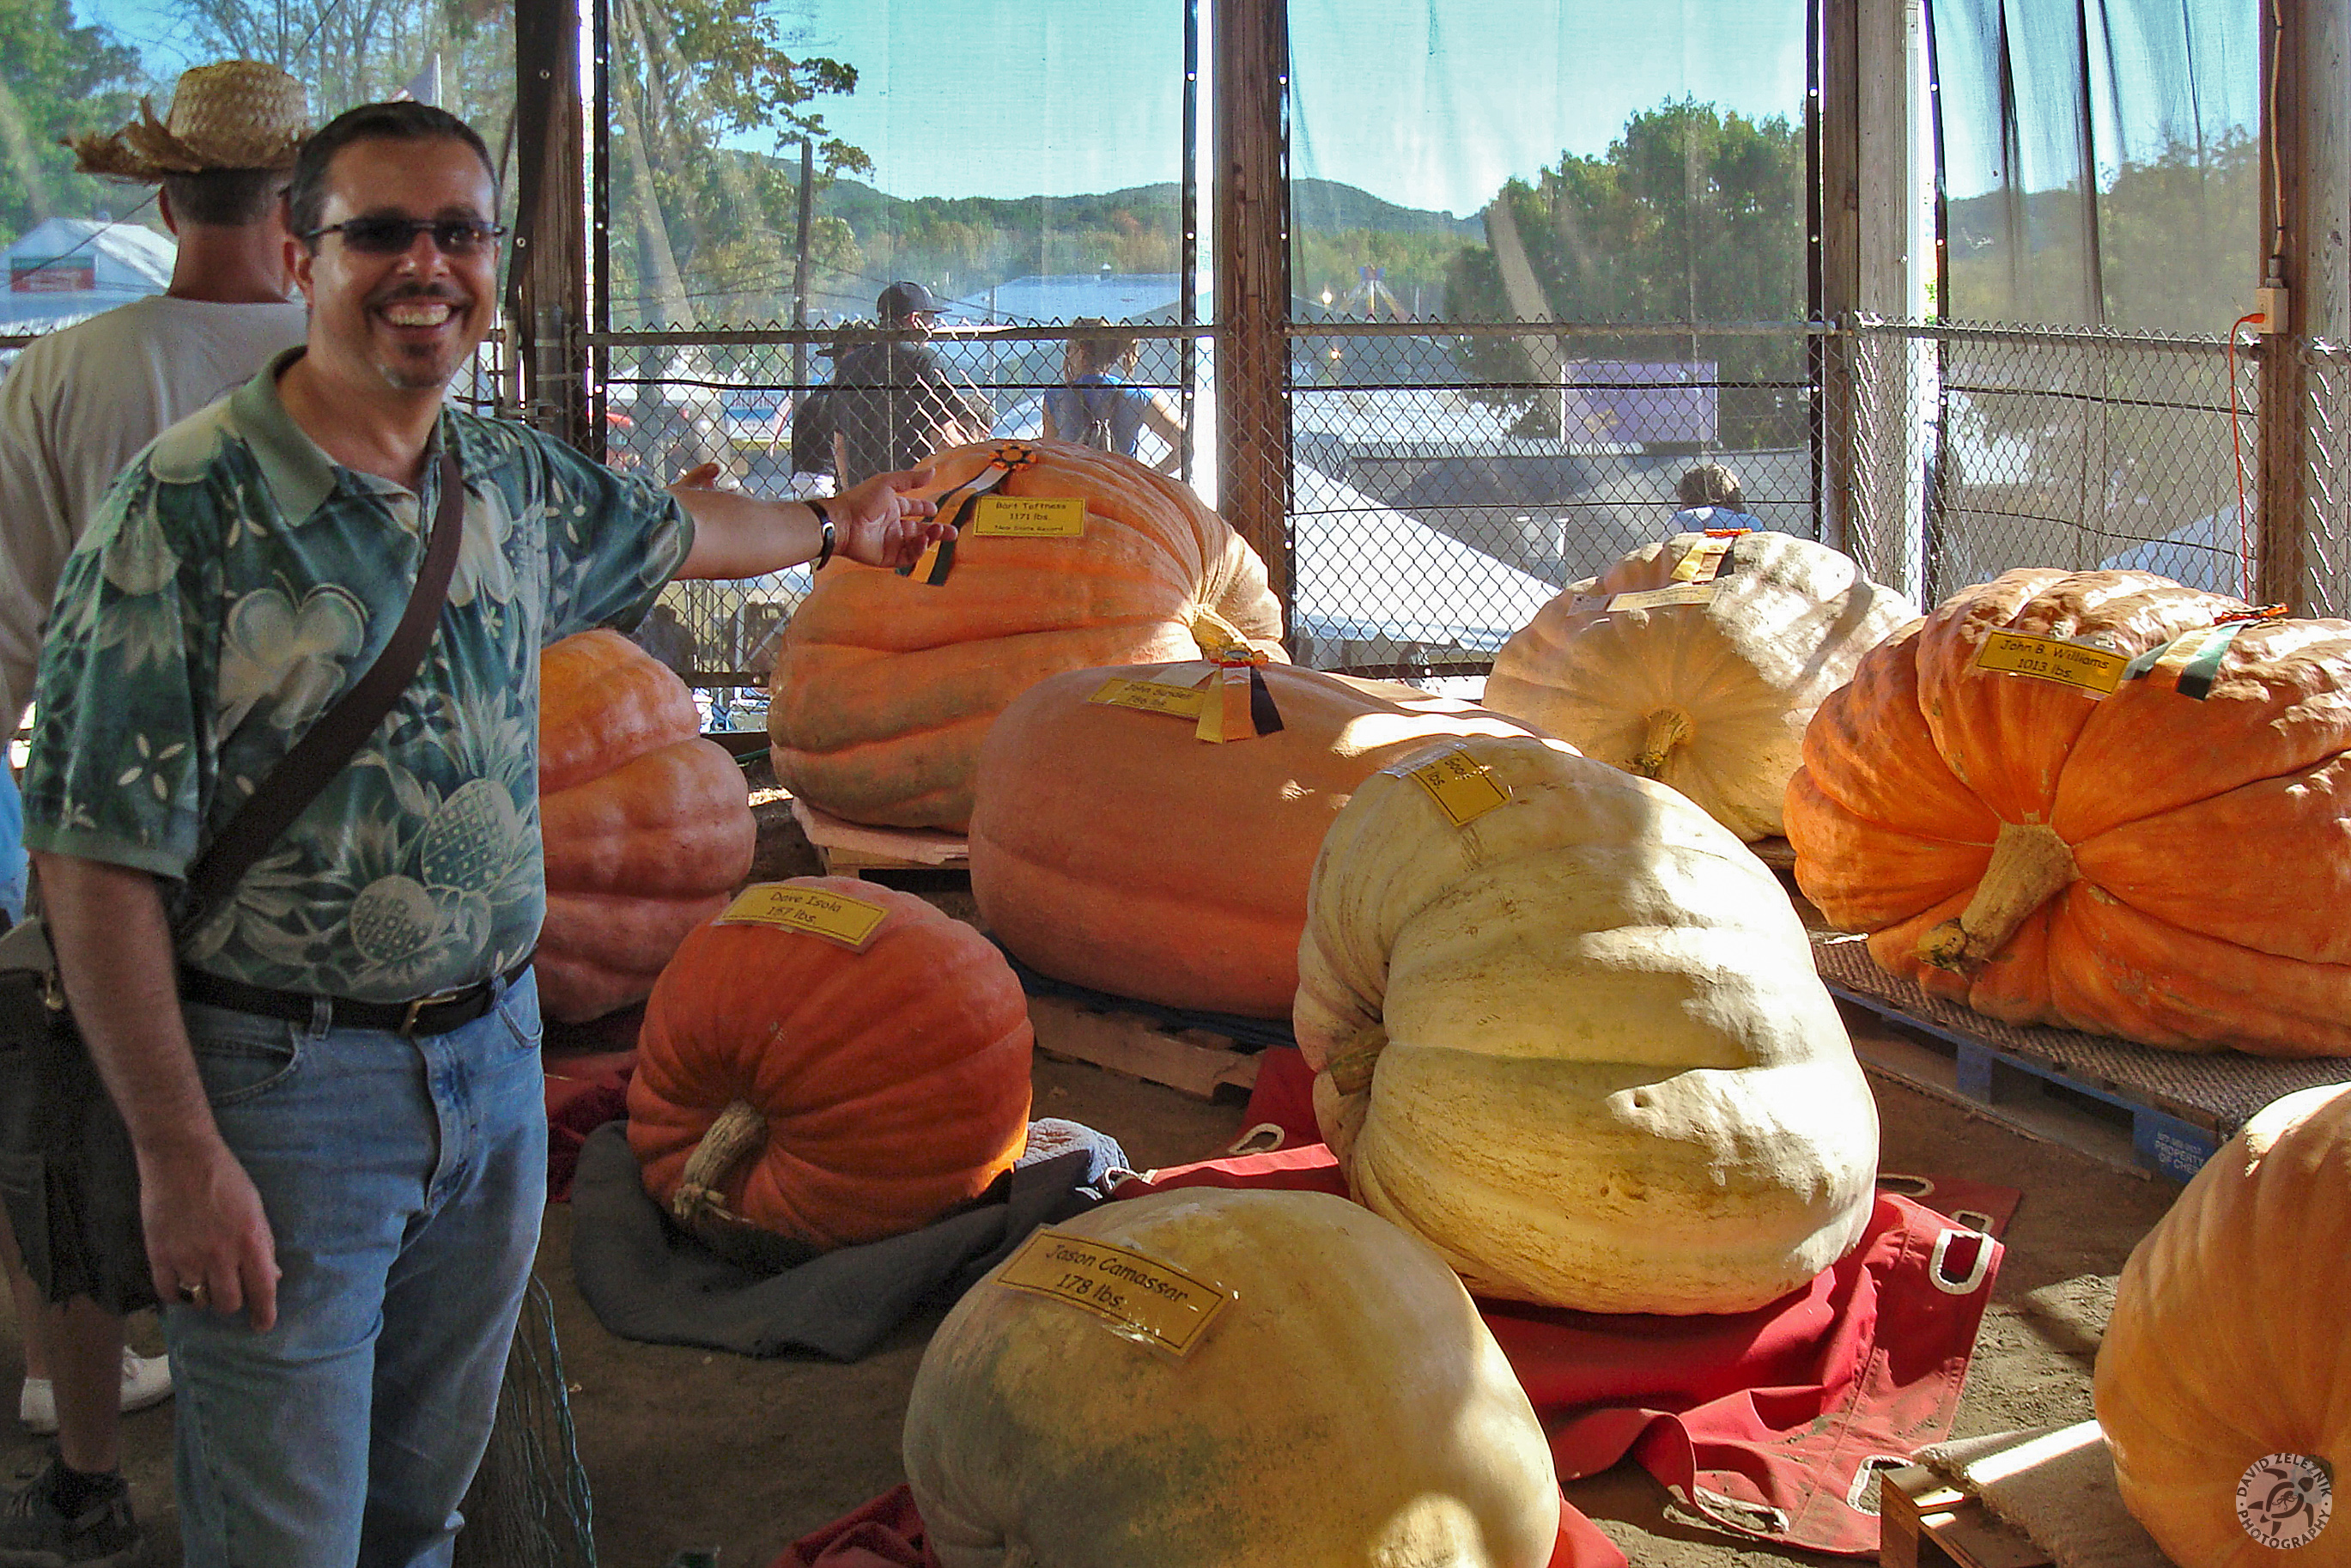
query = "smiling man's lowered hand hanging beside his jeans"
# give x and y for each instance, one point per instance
(208, 1240)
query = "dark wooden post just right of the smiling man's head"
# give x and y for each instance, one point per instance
(549, 272)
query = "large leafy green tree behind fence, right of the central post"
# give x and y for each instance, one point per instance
(1694, 215)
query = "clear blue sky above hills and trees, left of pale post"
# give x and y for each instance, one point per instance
(1421, 102)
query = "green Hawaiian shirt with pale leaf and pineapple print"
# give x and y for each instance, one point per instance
(234, 582)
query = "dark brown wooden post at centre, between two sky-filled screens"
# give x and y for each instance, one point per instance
(1250, 41)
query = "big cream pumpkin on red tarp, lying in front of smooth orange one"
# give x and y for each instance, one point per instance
(1579, 1043)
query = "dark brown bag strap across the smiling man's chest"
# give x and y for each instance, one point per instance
(342, 730)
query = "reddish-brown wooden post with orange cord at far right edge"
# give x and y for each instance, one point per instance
(2305, 222)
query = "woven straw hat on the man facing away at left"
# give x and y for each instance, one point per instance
(232, 116)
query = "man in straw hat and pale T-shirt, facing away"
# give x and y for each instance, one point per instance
(74, 410)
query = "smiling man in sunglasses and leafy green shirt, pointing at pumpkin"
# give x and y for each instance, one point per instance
(333, 1083)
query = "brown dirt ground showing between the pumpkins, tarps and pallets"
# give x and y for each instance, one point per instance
(695, 1452)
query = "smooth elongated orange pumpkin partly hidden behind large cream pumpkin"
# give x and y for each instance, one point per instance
(1116, 850)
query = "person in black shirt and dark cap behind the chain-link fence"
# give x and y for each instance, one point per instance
(892, 403)
